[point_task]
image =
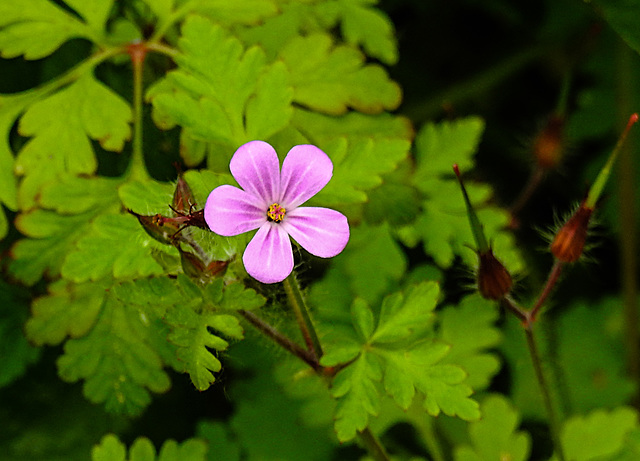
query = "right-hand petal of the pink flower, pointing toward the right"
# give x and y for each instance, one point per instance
(321, 231)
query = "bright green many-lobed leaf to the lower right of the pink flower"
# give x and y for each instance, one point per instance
(400, 353)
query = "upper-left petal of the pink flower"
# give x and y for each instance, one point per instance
(256, 167)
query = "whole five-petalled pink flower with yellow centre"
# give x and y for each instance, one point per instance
(270, 201)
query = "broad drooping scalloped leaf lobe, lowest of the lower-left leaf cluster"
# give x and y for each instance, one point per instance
(116, 360)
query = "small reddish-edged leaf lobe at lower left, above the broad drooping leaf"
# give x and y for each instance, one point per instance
(68, 310)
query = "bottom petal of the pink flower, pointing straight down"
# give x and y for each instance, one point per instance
(268, 257)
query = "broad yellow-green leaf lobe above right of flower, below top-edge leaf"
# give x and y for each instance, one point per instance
(332, 79)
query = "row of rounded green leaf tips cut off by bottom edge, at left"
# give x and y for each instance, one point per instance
(111, 448)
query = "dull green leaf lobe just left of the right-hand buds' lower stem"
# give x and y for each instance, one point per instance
(470, 330)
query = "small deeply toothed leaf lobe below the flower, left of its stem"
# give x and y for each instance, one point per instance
(190, 332)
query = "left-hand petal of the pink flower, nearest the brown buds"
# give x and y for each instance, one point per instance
(232, 211)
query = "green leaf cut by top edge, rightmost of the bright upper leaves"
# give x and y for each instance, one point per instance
(363, 25)
